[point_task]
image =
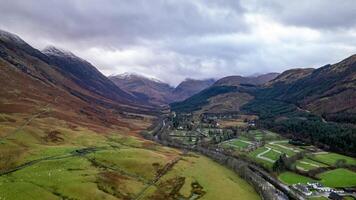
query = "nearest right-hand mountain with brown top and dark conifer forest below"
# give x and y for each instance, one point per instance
(316, 106)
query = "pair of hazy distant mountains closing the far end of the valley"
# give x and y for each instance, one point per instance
(158, 92)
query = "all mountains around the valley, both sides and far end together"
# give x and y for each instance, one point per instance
(317, 105)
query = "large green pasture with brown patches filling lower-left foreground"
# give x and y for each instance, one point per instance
(65, 162)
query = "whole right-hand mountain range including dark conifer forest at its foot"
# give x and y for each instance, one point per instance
(317, 106)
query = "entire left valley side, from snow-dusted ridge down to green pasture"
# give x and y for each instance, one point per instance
(63, 135)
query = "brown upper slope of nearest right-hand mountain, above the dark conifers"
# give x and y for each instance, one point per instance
(329, 91)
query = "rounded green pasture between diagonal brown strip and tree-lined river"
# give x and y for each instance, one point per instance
(193, 169)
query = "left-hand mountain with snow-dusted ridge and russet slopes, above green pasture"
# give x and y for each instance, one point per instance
(70, 86)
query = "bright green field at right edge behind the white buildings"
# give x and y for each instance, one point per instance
(338, 178)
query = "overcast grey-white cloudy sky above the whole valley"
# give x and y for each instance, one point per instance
(175, 39)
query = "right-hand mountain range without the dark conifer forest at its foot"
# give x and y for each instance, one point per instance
(329, 91)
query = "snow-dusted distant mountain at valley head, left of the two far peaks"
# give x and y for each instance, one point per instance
(148, 89)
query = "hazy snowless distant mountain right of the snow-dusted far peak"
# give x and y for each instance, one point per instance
(189, 87)
